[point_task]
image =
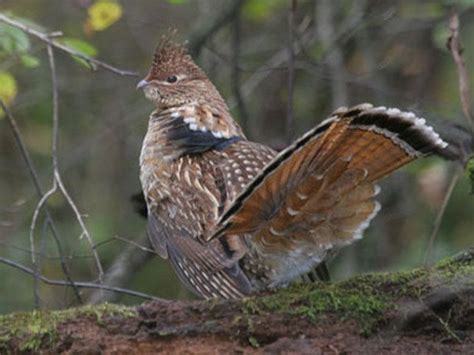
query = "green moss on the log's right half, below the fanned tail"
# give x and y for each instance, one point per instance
(363, 298)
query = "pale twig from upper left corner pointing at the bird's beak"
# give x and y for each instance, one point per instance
(46, 37)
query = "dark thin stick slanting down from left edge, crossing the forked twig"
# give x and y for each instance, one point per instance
(39, 190)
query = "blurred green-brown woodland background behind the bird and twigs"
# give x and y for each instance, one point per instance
(389, 53)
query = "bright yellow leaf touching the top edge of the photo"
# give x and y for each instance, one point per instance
(102, 14)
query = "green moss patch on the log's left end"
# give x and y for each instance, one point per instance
(34, 330)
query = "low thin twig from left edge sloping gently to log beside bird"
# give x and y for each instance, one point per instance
(80, 284)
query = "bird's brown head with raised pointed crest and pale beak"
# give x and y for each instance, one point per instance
(174, 79)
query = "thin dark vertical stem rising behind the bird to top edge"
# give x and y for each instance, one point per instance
(291, 73)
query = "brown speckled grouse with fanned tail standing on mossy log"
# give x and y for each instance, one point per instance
(236, 218)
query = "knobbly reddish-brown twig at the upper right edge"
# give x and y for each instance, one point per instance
(455, 47)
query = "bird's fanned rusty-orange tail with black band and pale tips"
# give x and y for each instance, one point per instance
(321, 188)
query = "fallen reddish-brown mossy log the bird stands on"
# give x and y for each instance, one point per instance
(423, 311)
